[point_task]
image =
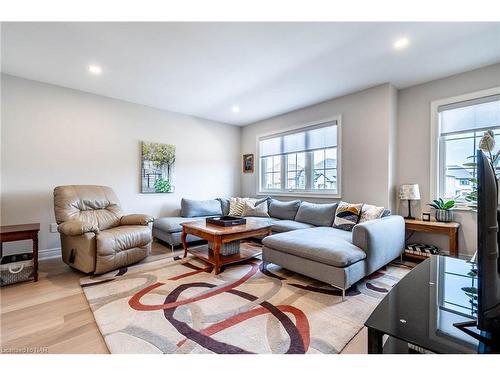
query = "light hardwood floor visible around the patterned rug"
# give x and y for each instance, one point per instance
(53, 316)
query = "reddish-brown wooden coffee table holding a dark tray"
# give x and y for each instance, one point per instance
(219, 235)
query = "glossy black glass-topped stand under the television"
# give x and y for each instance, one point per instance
(418, 314)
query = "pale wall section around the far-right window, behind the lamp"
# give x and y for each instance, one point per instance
(414, 143)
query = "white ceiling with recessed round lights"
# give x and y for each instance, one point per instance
(266, 69)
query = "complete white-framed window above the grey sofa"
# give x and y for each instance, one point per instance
(303, 160)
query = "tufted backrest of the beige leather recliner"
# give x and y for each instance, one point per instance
(90, 203)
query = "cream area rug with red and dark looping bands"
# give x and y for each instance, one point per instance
(177, 306)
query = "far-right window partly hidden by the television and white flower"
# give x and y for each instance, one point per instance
(461, 125)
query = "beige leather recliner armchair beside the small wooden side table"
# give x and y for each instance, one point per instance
(95, 235)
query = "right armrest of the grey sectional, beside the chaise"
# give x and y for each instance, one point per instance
(382, 239)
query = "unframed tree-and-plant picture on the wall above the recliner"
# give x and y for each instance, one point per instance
(157, 168)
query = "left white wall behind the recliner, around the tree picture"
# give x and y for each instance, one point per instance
(54, 136)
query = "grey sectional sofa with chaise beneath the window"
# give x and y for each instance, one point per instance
(304, 240)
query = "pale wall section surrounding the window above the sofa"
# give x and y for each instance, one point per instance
(368, 125)
